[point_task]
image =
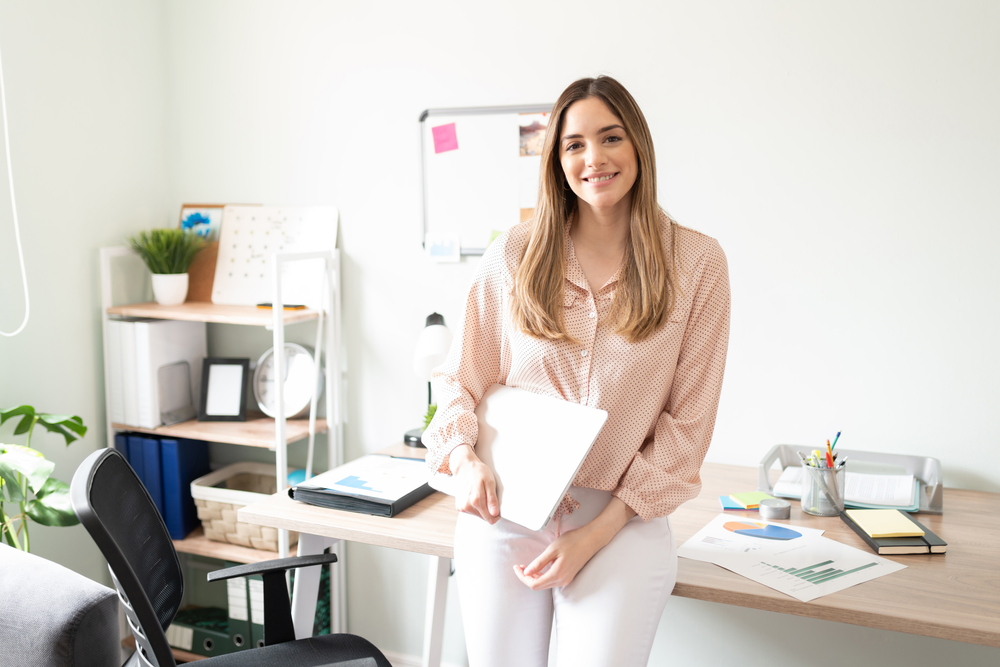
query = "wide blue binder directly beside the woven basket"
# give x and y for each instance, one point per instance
(183, 461)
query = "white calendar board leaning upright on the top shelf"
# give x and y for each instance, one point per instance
(248, 238)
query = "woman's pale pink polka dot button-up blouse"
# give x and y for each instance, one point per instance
(661, 394)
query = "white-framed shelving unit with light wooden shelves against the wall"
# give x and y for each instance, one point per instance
(258, 430)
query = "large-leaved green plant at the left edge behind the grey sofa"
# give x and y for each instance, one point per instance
(25, 472)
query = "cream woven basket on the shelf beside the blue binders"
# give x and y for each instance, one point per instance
(219, 494)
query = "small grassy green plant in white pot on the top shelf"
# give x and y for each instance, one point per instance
(168, 254)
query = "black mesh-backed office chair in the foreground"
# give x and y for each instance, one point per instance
(117, 511)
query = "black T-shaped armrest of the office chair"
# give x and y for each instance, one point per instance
(278, 626)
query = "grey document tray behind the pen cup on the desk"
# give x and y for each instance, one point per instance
(925, 469)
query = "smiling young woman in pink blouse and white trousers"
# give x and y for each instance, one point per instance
(602, 300)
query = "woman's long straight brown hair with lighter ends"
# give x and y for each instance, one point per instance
(648, 285)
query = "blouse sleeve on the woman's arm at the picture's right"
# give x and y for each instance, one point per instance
(665, 472)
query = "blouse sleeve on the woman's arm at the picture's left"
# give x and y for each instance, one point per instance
(473, 363)
